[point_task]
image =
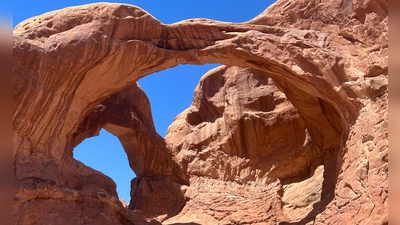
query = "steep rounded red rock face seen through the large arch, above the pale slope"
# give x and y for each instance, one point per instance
(238, 127)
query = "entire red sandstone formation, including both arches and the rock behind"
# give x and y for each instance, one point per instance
(293, 130)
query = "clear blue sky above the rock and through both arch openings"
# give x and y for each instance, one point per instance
(169, 91)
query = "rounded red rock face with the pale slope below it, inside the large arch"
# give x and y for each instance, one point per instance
(240, 136)
